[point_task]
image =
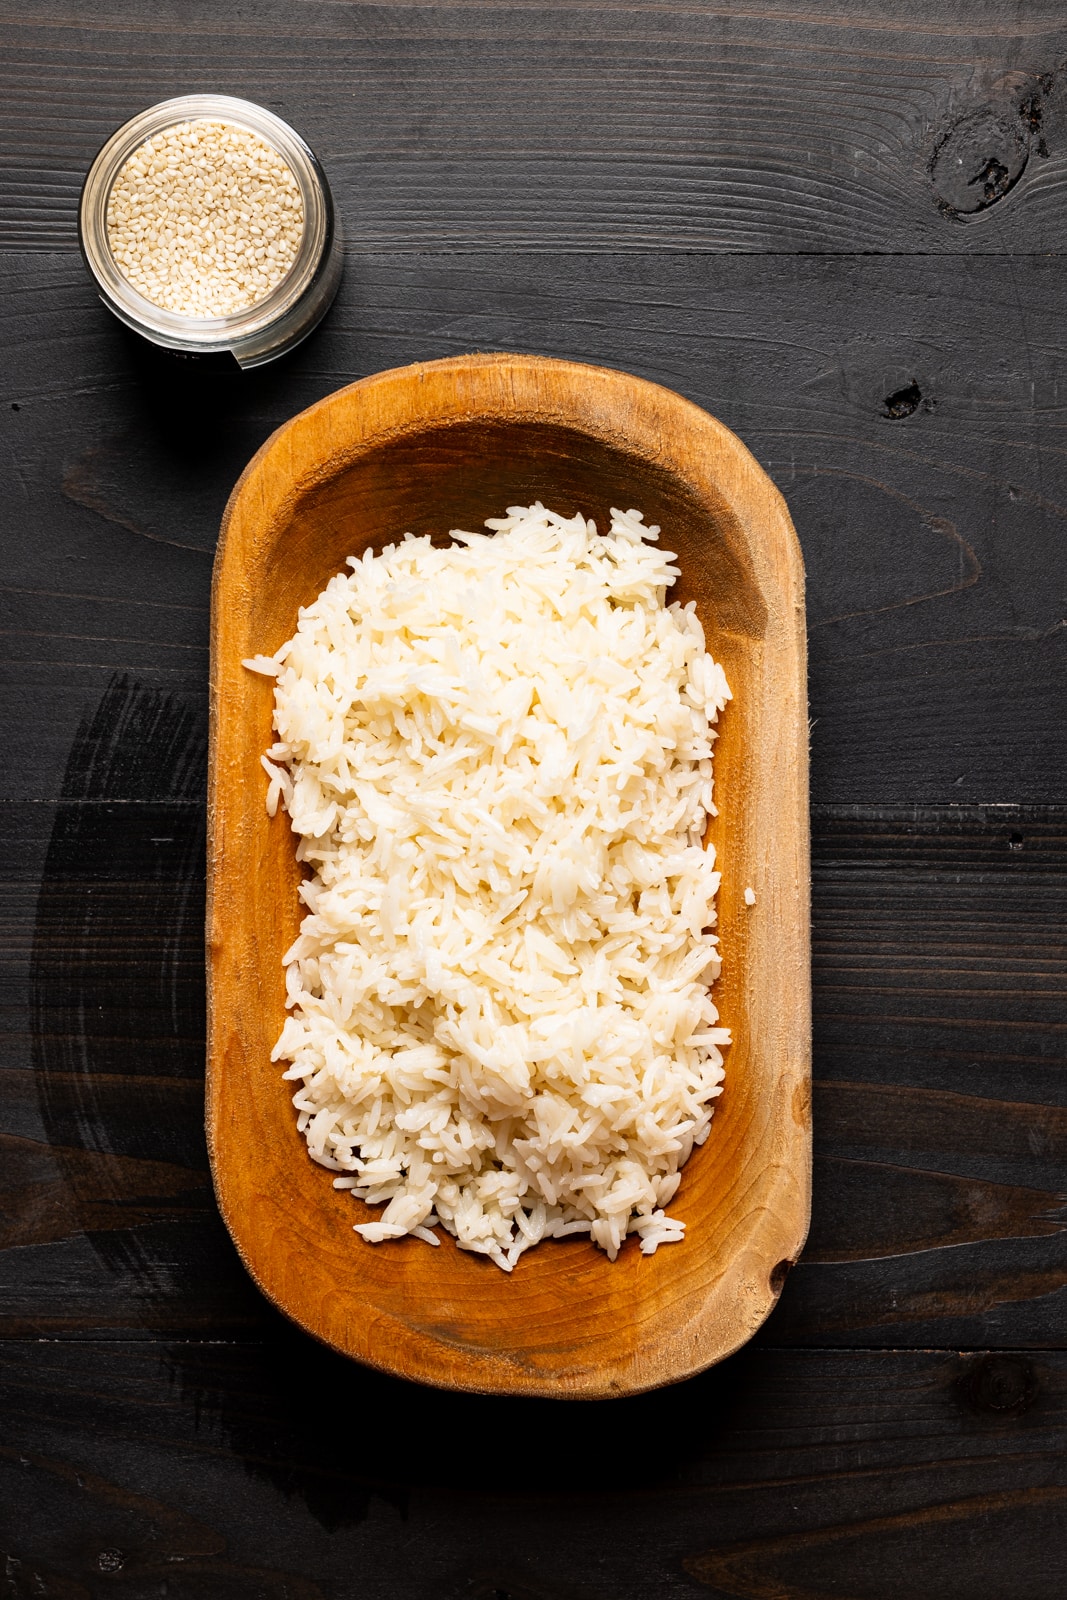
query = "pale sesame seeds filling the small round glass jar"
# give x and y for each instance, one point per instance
(206, 218)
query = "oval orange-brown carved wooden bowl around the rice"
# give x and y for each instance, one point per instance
(430, 449)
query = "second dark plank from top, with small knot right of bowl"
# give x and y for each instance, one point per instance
(932, 540)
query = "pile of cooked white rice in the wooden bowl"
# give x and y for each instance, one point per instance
(498, 761)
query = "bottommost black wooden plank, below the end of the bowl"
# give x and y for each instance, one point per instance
(212, 1471)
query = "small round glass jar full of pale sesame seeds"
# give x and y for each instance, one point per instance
(209, 226)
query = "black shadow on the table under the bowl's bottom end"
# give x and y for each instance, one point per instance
(321, 1426)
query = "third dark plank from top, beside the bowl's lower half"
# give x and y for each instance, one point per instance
(940, 1111)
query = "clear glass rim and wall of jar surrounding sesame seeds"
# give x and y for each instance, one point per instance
(274, 324)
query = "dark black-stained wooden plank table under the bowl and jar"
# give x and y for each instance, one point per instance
(841, 228)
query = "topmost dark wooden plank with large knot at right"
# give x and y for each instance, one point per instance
(629, 126)
